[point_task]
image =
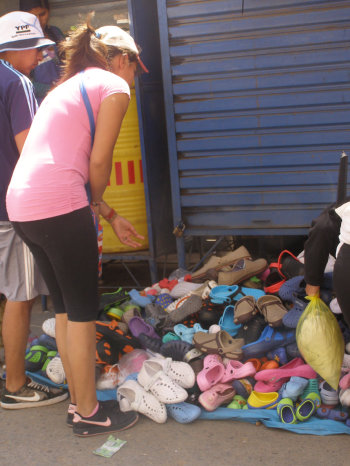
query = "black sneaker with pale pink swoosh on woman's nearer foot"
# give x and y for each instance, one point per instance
(107, 419)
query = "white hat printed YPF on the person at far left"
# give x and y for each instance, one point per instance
(20, 30)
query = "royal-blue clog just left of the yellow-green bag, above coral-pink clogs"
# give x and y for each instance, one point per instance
(270, 339)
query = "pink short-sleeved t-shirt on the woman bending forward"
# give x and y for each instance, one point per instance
(50, 176)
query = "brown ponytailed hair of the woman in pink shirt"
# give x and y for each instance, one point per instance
(82, 49)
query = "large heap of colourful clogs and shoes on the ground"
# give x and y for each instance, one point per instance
(222, 336)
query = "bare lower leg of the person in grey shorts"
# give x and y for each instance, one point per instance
(15, 334)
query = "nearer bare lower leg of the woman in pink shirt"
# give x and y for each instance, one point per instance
(81, 352)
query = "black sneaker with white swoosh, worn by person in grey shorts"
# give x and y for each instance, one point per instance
(32, 394)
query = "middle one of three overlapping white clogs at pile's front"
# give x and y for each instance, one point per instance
(161, 385)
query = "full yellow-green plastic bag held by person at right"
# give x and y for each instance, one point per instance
(320, 341)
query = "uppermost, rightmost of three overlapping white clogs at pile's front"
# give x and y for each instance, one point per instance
(180, 372)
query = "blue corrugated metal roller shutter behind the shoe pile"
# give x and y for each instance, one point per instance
(258, 111)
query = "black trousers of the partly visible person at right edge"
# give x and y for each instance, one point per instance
(341, 281)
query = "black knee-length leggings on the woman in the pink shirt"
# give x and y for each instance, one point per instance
(65, 249)
